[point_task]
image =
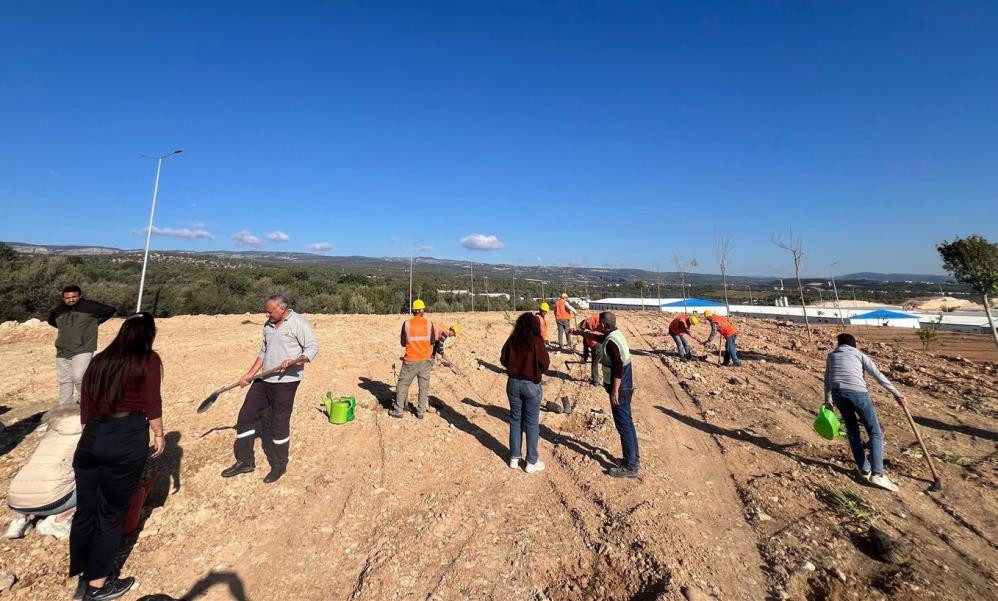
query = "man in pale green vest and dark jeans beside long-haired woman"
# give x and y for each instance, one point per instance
(618, 381)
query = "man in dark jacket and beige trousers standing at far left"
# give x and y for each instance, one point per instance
(76, 319)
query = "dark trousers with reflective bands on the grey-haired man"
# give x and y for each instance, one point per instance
(280, 397)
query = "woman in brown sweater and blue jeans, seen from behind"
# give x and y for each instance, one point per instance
(526, 359)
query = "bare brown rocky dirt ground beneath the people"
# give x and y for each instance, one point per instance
(738, 498)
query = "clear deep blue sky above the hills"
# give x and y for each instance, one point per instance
(591, 133)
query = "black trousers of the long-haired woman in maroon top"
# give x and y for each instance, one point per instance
(108, 463)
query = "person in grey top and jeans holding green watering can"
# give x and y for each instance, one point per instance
(844, 384)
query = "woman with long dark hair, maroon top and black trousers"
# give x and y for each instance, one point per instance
(119, 402)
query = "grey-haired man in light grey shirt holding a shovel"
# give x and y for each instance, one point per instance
(288, 343)
